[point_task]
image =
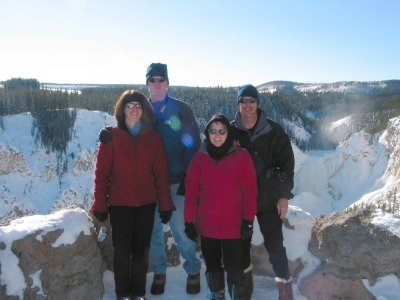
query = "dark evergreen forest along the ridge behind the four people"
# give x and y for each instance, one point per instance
(53, 108)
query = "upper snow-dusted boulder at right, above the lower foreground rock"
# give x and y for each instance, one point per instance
(354, 248)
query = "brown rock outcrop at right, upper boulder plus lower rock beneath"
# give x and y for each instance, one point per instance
(351, 248)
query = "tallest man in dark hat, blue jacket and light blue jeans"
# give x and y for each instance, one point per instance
(178, 129)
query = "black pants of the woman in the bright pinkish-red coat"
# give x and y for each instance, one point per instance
(221, 255)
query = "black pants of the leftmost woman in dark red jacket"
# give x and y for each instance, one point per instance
(131, 233)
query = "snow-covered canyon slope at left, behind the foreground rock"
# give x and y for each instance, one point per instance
(29, 183)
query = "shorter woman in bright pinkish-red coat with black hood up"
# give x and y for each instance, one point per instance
(220, 202)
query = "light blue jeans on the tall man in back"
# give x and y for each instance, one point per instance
(187, 248)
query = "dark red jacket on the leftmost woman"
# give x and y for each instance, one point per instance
(132, 172)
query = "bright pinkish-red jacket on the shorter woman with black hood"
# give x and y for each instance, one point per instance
(220, 194)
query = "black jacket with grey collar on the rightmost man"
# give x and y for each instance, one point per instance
(273, 158)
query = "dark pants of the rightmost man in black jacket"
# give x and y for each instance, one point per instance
(271, 229)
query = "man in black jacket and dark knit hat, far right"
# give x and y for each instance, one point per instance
(273, 159)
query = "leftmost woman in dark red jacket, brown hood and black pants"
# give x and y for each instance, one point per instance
(131, 176)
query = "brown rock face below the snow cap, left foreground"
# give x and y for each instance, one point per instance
(53, 271)
